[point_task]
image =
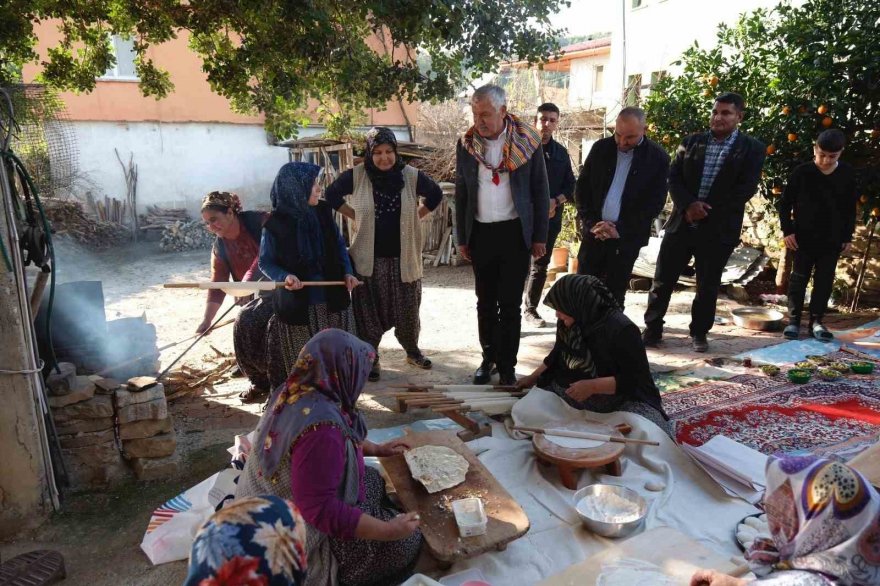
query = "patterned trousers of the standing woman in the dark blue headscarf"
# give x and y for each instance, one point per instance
(285, 341)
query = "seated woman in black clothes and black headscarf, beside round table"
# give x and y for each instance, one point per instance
(598, 362)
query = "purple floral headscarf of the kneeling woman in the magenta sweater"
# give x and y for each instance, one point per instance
(323, 387)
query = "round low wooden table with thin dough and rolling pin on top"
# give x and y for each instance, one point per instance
(571, 460)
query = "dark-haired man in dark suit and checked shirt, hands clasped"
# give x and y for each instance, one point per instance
(712, 177)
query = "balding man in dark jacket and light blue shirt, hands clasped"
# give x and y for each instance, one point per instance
(621, 189)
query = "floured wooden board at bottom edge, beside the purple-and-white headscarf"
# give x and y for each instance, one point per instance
(678, 555)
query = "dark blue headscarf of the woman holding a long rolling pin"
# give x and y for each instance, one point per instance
(290, 196)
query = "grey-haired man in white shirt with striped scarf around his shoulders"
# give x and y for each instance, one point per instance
(502, 203)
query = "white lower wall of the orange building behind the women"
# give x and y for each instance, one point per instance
(178, 163)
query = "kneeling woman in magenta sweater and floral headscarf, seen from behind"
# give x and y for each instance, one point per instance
(310, 448)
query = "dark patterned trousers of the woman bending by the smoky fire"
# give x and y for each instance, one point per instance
(249, 335)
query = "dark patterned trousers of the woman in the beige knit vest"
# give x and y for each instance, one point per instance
(384, 302)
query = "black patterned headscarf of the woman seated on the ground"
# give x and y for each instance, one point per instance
(589, 302)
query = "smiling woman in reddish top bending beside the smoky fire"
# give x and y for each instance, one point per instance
(235, 255)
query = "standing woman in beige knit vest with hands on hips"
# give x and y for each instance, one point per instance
(381, 197)
